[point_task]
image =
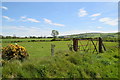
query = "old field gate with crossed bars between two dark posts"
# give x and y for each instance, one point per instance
(89, 45)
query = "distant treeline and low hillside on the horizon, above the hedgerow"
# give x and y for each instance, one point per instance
(84, 35)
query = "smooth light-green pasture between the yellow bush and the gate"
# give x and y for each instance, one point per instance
(40, 49)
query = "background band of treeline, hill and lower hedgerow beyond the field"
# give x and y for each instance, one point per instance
(110, 37)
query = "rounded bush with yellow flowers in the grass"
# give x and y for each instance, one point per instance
(14, 52)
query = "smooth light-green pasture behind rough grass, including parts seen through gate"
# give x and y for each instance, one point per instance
(40, 49)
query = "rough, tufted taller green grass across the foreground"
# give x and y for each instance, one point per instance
(65, 65)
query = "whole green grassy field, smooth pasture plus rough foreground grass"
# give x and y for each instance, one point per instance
(65, 64)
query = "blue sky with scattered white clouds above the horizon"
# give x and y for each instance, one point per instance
(40, 18)
